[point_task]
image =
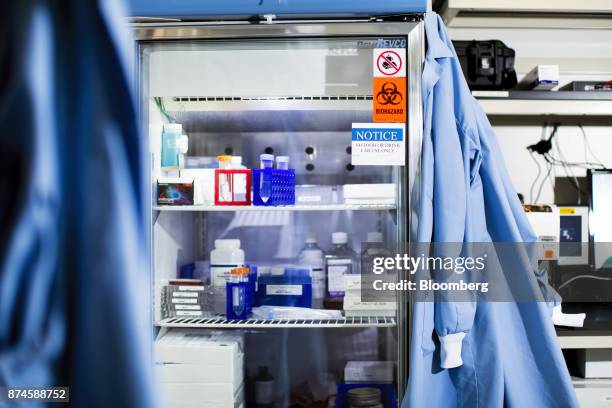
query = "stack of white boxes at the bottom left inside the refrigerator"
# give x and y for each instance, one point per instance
(201, 368)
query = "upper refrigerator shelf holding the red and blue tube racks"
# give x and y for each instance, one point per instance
(327, 207)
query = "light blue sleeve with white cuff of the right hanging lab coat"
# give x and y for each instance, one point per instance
(452, 176)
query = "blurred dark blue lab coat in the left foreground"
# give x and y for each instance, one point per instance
(74, 277)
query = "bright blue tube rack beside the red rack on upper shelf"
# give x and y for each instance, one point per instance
(282, 187)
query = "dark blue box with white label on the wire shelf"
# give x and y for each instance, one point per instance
(292, 288)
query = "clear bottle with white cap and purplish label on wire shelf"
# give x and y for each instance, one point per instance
(341, 260)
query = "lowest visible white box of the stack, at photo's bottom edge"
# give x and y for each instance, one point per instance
(201, 395)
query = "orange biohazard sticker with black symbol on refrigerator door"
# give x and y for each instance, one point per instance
(389, 100)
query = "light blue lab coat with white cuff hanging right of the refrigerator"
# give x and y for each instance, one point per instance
(474, 354)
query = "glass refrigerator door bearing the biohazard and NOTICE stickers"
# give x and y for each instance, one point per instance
(292, 91)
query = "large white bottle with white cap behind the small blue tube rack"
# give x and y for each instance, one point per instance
(226, 256)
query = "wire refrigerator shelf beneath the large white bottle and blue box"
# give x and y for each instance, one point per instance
(221, 322)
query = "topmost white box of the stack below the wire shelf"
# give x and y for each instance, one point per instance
(185, 346)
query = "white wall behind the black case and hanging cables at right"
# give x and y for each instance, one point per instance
(581, 55)
